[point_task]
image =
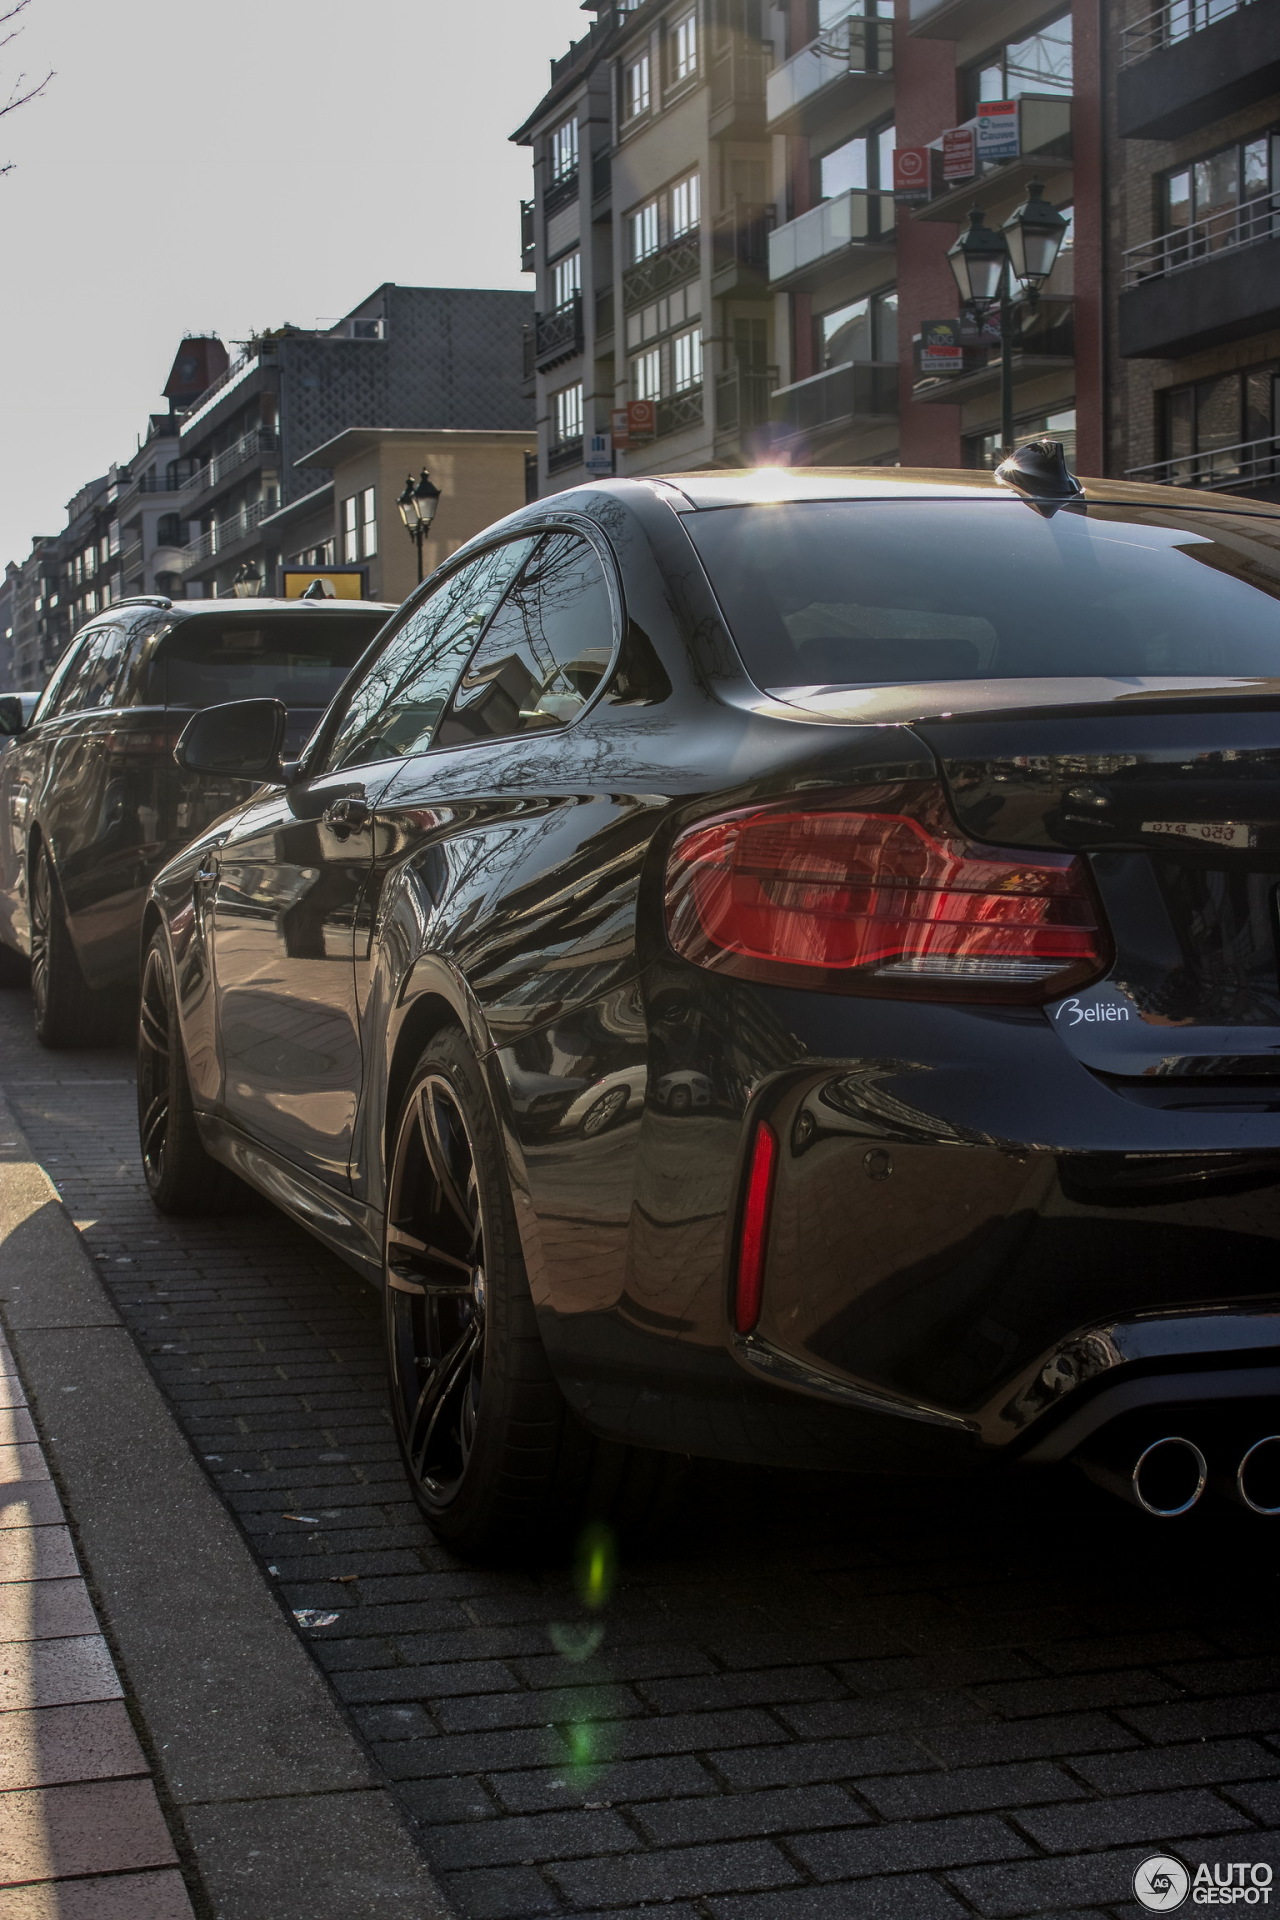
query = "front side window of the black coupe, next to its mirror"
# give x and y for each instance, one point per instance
(404, 694)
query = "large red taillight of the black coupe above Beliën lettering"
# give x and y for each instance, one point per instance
(886, 900)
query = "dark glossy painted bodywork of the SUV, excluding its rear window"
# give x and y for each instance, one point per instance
(101, 790)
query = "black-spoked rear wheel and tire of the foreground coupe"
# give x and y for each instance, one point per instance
(494, 1454)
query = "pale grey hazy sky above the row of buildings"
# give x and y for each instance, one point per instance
(231, 168)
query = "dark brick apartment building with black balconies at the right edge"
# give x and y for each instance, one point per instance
(1195, 256)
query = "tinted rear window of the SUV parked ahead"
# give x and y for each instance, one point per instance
(291, 658)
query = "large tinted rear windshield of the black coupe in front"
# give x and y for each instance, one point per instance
(868, 592)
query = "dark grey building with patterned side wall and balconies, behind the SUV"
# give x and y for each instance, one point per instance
(408, 356)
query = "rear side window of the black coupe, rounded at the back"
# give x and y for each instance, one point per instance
(546, 652)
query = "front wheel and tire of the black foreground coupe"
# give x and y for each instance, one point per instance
(179, 1174)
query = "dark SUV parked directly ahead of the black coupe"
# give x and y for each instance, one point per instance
(91, 800)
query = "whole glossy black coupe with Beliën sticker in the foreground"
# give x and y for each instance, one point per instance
(928, 819)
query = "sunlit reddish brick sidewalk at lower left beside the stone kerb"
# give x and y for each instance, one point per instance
(82, 1831)
